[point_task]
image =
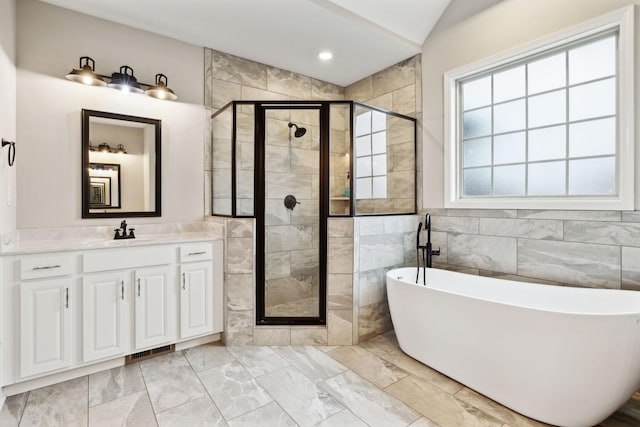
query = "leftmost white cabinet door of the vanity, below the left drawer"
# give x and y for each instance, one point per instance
(45, 326)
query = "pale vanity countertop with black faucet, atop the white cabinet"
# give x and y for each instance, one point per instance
(43, 246)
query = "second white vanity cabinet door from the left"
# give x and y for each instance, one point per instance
(104, 315)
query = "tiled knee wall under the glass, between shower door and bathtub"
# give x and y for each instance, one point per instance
(361, 251)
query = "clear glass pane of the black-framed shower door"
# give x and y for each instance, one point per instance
(292, 214)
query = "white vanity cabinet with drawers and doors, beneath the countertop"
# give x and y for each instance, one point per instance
(72, 312)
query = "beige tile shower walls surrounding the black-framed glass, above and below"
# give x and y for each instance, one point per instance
(360, 250)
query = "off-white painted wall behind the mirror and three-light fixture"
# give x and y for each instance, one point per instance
(50, 41)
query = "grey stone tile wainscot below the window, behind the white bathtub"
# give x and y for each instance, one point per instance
(598, 249)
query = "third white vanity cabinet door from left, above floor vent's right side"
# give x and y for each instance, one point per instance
(154, 313)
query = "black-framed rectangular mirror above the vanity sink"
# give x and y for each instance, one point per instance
(121, 173)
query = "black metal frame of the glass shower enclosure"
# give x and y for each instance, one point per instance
(259, 169)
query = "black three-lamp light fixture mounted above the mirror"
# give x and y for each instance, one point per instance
(123, 80)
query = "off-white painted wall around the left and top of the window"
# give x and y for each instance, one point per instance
(498, 28)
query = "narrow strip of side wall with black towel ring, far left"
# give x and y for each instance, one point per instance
(7, 114)
